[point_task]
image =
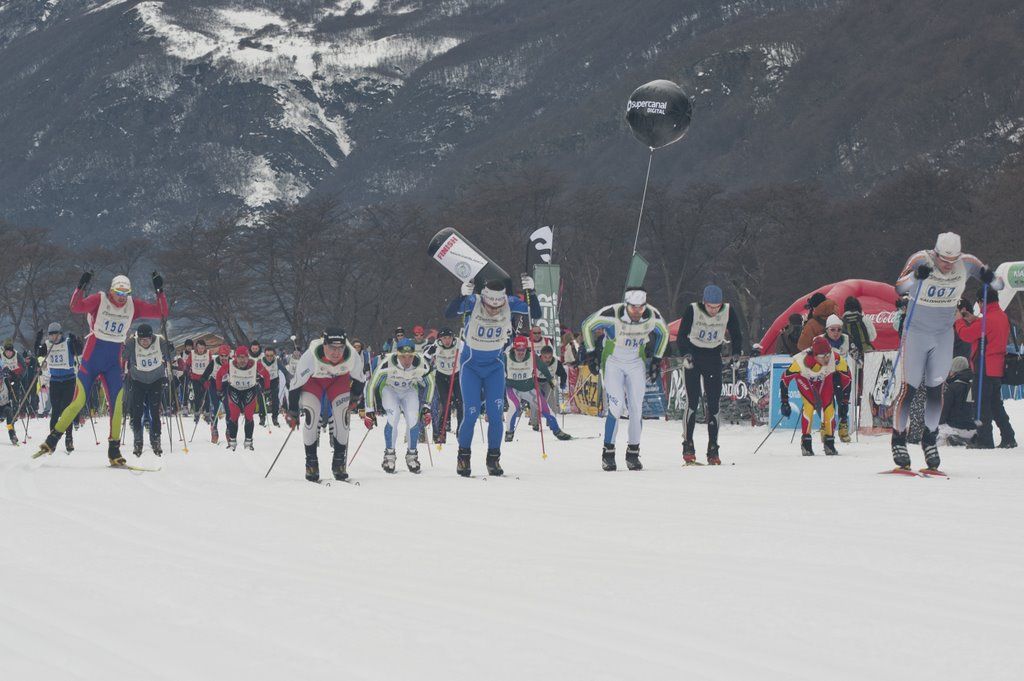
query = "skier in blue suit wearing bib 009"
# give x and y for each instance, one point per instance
(482, 361)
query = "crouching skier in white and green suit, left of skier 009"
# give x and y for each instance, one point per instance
(398, 380)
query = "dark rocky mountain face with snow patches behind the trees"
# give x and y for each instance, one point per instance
(125, 115)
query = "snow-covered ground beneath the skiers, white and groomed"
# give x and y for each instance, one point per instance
(773, 567)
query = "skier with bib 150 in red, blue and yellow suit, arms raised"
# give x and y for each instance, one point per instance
(111, 316)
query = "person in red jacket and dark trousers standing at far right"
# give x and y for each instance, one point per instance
(997, 336)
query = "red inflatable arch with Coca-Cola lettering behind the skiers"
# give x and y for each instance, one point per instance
(878, 300)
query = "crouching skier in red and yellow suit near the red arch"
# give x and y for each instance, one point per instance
(815, 371)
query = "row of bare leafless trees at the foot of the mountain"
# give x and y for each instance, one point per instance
(306, 267)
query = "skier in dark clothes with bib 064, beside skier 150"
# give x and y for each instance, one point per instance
(146, 357)
